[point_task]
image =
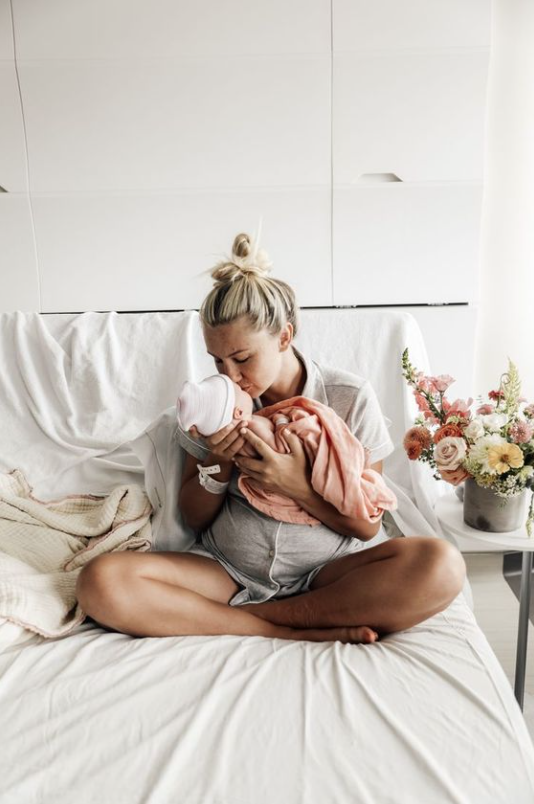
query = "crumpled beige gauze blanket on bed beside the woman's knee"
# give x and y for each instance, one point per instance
(45, 544)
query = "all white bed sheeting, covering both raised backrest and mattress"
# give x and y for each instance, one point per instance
(425, 715)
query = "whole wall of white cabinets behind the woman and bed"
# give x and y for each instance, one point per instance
(157, 131)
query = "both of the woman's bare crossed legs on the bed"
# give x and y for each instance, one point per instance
(382, 589)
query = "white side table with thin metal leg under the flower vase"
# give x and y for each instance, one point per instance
(449, 511)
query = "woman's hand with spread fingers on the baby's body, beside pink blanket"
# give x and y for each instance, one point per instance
(288, 474)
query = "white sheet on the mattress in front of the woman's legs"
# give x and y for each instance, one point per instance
(424, 715)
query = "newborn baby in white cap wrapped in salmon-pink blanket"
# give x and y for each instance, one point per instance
(341, 473)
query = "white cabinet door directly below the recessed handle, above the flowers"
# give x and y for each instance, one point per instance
(401, 243)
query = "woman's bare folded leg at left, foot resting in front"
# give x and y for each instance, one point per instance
(116, 591)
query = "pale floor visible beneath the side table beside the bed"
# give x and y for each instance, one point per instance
(497, 611)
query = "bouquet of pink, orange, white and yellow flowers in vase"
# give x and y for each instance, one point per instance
(494, 445)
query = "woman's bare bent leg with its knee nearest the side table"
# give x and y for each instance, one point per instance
(390, 587)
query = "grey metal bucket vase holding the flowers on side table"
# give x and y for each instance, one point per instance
(484, 510)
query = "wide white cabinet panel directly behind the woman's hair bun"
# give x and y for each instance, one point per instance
(152, 250)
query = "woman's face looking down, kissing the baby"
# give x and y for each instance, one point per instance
(251, 359)
